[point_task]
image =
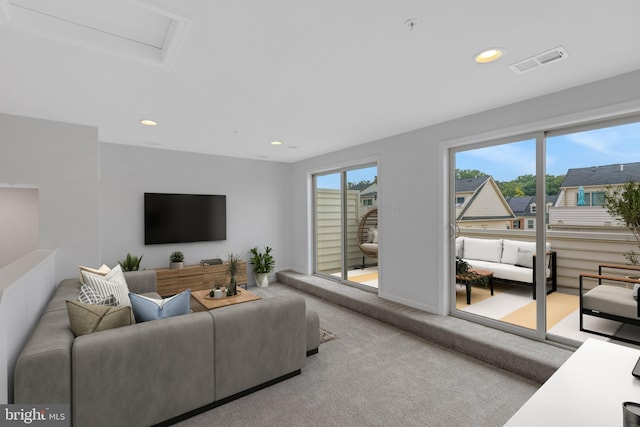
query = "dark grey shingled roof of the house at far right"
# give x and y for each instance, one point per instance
(602, 175)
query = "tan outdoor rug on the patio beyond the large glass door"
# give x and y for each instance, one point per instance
(559, 306)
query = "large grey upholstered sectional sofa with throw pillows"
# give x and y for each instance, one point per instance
(152, 372)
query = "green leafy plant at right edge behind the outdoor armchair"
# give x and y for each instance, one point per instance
(623, 203)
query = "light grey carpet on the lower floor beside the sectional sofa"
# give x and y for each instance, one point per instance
(377, 375)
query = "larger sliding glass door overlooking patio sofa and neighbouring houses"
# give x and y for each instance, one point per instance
(530, 216)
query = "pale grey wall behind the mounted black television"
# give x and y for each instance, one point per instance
(258, 202)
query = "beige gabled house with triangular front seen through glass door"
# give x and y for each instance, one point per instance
(480, 204)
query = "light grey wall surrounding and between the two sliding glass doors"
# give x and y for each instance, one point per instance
(413, 184)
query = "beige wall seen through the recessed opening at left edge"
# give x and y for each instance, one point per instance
(19, 232)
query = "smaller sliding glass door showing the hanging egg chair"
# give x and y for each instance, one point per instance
(346, 225)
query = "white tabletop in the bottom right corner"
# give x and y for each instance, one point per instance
(587, 390)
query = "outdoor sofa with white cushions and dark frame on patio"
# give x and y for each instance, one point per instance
(510, 261)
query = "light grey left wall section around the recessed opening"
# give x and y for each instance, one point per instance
(61, 160)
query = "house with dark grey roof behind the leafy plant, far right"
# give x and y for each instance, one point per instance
(580, 202)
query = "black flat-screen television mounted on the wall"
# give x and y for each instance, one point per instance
(180, 218)
